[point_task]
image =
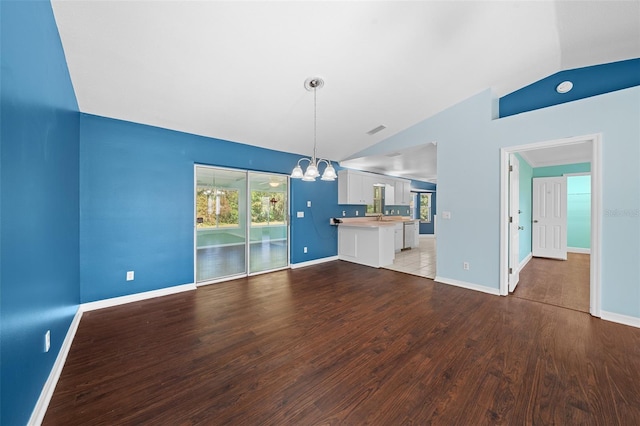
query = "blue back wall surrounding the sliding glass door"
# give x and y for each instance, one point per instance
(136, 191)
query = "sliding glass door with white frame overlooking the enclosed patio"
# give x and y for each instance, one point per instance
(233, 207)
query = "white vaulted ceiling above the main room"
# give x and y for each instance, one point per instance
(235, 70)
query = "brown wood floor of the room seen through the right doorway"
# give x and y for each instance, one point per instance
(562, 283)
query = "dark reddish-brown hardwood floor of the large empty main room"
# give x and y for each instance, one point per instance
(340, 343)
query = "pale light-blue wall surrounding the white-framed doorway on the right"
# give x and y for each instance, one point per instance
(473, 197)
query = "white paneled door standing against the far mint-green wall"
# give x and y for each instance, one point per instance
(550, 217)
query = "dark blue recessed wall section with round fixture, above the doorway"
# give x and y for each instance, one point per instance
(587, 82)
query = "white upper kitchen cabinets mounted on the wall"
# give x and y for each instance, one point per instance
(356, 187)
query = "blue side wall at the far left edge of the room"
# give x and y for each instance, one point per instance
(39, 235)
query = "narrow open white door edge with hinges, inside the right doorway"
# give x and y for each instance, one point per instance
(514, 222)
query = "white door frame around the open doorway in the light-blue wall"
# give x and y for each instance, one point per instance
(595, 295)
